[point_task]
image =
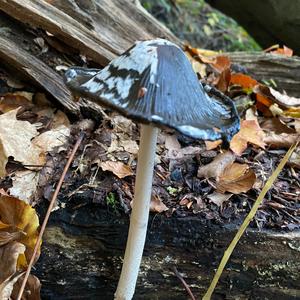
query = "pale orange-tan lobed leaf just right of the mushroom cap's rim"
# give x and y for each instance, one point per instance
(250, 132)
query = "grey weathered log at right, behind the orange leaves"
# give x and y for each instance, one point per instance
(283, 70)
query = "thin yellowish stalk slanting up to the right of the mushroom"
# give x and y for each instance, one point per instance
(246, 222)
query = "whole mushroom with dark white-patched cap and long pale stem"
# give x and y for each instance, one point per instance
(154, 84)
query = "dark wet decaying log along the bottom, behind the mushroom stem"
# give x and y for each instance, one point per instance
(81, 258)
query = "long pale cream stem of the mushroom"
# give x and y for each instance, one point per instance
(140, 214)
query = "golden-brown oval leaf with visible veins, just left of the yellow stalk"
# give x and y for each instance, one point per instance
(236, 179)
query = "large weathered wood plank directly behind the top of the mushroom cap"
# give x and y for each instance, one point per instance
(99, 29)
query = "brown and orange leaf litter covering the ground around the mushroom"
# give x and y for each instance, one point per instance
(191, 177)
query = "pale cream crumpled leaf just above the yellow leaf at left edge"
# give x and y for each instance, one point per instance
(24, 185)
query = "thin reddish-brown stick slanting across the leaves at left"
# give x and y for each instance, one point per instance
(38, 242)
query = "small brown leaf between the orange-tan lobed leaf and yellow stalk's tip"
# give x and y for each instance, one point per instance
(282, 140)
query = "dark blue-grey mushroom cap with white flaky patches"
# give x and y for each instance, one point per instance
(153, 82)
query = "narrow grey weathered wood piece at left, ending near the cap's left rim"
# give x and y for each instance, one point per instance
(31, 67)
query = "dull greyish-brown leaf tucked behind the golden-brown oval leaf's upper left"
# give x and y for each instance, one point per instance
(217, 166)
